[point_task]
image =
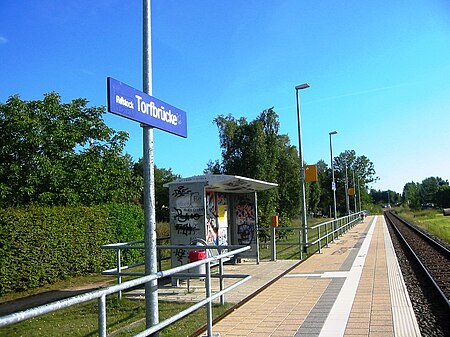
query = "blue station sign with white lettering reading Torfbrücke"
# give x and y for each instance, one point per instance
(136, 105)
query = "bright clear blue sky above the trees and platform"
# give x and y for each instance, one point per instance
(379, 72)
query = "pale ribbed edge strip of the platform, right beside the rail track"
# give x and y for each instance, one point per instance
(404, 319)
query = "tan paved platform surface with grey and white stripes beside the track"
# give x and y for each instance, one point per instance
(353, 288)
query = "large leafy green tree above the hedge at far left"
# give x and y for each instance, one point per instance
(56, 153)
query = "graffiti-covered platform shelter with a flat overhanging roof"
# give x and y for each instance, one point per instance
(218, 210)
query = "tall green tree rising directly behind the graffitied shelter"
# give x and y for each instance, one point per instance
(256, 150)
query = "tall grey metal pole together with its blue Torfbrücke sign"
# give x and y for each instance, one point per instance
(139, 106)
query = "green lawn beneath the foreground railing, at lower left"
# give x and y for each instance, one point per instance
(82, 320)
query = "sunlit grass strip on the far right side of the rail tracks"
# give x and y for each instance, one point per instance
(431, 220)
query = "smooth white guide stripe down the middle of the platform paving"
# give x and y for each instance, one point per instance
(337, 319)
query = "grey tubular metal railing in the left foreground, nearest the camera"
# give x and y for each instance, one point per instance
(101, 294)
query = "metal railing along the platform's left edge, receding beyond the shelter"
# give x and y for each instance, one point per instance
(327, 231)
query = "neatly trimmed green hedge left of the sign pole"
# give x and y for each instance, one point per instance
(41, 245)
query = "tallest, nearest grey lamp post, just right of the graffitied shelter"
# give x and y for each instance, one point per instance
(302, 170)
